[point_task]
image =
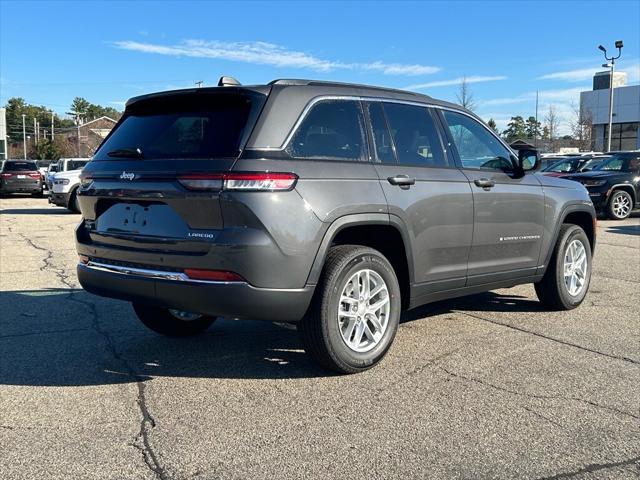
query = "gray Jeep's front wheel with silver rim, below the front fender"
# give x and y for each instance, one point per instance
(564, 285)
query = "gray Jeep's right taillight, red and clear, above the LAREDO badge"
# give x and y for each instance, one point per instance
(255, 182)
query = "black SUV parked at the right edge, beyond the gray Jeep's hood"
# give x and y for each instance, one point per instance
(614, 185)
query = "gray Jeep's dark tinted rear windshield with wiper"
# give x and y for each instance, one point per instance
(184, 127)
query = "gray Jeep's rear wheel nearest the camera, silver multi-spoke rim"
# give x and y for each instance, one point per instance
(355, 313)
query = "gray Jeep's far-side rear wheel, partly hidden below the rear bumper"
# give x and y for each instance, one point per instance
(162, 321)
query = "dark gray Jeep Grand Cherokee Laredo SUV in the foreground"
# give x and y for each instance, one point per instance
(334, 206)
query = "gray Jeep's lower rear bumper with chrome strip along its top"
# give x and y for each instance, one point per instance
(228, 299)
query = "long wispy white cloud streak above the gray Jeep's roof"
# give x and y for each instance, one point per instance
(263, 53)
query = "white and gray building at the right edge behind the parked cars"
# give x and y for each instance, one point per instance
(626, 112)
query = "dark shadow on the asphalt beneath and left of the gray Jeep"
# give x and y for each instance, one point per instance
(63, 337)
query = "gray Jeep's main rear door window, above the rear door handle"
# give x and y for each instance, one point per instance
(415, 136)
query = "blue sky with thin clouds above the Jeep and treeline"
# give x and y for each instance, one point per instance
(107, 52)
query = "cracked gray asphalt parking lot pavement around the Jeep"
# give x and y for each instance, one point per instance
(488, 386)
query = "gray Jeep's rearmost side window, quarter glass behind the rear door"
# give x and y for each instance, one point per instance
(332, 130)
